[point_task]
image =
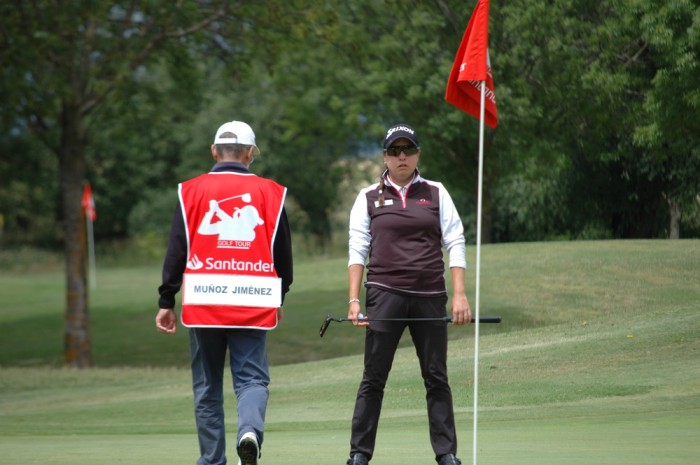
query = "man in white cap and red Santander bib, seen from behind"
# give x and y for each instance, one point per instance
(225, 217)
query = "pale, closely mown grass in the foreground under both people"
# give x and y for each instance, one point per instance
(613, 391)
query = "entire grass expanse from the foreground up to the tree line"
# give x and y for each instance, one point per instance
(597, 362)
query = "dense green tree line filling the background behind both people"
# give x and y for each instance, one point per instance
(599, 108)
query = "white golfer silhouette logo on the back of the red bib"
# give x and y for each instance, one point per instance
(235, 231)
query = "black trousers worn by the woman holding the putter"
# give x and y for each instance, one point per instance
(381, 340)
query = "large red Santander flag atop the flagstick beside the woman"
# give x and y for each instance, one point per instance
(472, 65)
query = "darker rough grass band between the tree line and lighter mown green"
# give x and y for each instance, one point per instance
(530, 285)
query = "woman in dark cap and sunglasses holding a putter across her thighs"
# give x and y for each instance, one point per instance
(399, 226)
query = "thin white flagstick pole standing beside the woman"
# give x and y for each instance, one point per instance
(478, 267)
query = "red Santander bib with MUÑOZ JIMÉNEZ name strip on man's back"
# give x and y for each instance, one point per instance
(230, 280)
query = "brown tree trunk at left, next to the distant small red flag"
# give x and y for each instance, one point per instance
(77, 346)
